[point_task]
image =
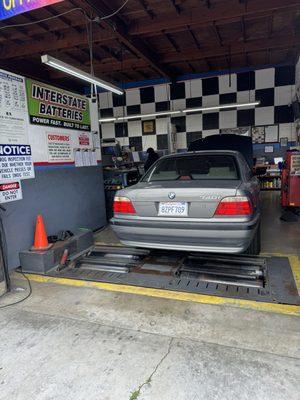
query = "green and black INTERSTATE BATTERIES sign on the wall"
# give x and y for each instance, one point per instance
(58, 108)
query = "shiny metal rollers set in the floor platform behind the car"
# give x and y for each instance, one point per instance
(241, 271)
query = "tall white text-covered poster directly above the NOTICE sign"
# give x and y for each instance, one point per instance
(13, 109)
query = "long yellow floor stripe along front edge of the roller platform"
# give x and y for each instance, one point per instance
(167, 294)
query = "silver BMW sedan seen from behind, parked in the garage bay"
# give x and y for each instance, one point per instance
(206, 201)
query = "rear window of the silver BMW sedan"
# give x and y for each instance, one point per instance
(196, 167)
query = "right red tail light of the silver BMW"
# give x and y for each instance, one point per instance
(234, 206)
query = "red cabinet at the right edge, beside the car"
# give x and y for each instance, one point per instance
(290, 178)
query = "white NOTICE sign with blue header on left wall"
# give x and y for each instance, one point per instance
(15, 162)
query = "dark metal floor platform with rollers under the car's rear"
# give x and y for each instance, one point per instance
(264, 279)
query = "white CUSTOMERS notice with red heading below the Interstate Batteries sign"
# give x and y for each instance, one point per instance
(59, 147)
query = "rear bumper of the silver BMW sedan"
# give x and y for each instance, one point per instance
(214, 237)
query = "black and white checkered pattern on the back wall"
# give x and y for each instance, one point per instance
(273, 87)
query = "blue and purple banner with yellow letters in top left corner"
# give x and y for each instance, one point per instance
(9, 8)
